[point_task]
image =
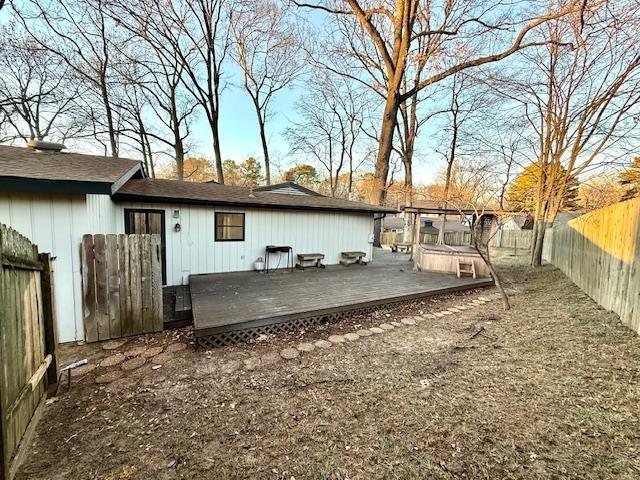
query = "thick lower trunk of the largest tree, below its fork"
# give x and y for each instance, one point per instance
(389, 122)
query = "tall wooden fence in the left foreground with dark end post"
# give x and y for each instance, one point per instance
(27, 339)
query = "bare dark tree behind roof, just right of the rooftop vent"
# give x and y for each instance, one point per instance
(80, 34)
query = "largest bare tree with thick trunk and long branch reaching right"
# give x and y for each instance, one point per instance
(390, 33)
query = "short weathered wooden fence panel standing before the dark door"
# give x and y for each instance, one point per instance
(122, 285)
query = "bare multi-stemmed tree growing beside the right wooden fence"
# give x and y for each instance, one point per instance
(581, 102)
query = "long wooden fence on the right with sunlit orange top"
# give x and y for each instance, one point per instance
(600, 252)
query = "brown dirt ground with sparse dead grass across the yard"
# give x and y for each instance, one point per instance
(549, 389)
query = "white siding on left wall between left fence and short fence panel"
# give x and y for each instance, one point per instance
(55, 223)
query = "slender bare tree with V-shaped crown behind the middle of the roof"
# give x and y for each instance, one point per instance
(270, 55)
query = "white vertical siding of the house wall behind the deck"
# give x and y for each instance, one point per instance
(194, 249)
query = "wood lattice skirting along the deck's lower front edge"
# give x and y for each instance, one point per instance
(235, 337)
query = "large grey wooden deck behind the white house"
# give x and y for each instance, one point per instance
(242, 300)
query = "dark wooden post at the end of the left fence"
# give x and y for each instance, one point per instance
(49, 318)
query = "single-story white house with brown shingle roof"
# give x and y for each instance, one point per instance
(55, 198)
